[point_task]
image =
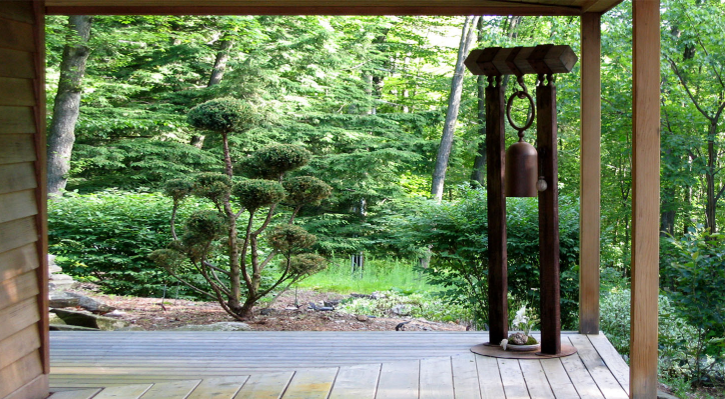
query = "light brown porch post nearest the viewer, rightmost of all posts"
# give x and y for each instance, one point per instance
(645, 197)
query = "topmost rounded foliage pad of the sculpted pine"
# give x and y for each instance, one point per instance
(221, 115)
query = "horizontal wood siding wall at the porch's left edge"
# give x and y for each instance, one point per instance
(23, 239)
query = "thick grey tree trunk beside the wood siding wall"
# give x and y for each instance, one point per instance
(61, 133)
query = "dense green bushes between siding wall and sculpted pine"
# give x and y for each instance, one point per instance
(106, 237)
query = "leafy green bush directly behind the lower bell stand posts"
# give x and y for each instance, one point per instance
(456, 233)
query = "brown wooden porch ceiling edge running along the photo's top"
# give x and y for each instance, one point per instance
(331, 7)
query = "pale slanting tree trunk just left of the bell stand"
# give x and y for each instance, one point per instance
(454, 103)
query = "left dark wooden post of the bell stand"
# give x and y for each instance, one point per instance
(496, 200)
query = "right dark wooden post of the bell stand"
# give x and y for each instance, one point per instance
(550, 287)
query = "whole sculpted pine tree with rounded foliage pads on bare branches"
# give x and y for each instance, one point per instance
(225, 251)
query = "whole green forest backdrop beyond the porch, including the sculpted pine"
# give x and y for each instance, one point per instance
(375, 132)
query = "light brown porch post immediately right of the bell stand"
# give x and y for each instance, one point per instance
(590, 174)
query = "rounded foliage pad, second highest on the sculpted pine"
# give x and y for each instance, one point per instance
(273, 161)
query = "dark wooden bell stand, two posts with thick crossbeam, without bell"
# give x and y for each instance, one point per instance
(543, 61)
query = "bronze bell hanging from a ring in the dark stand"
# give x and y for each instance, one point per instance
(521, 173)
